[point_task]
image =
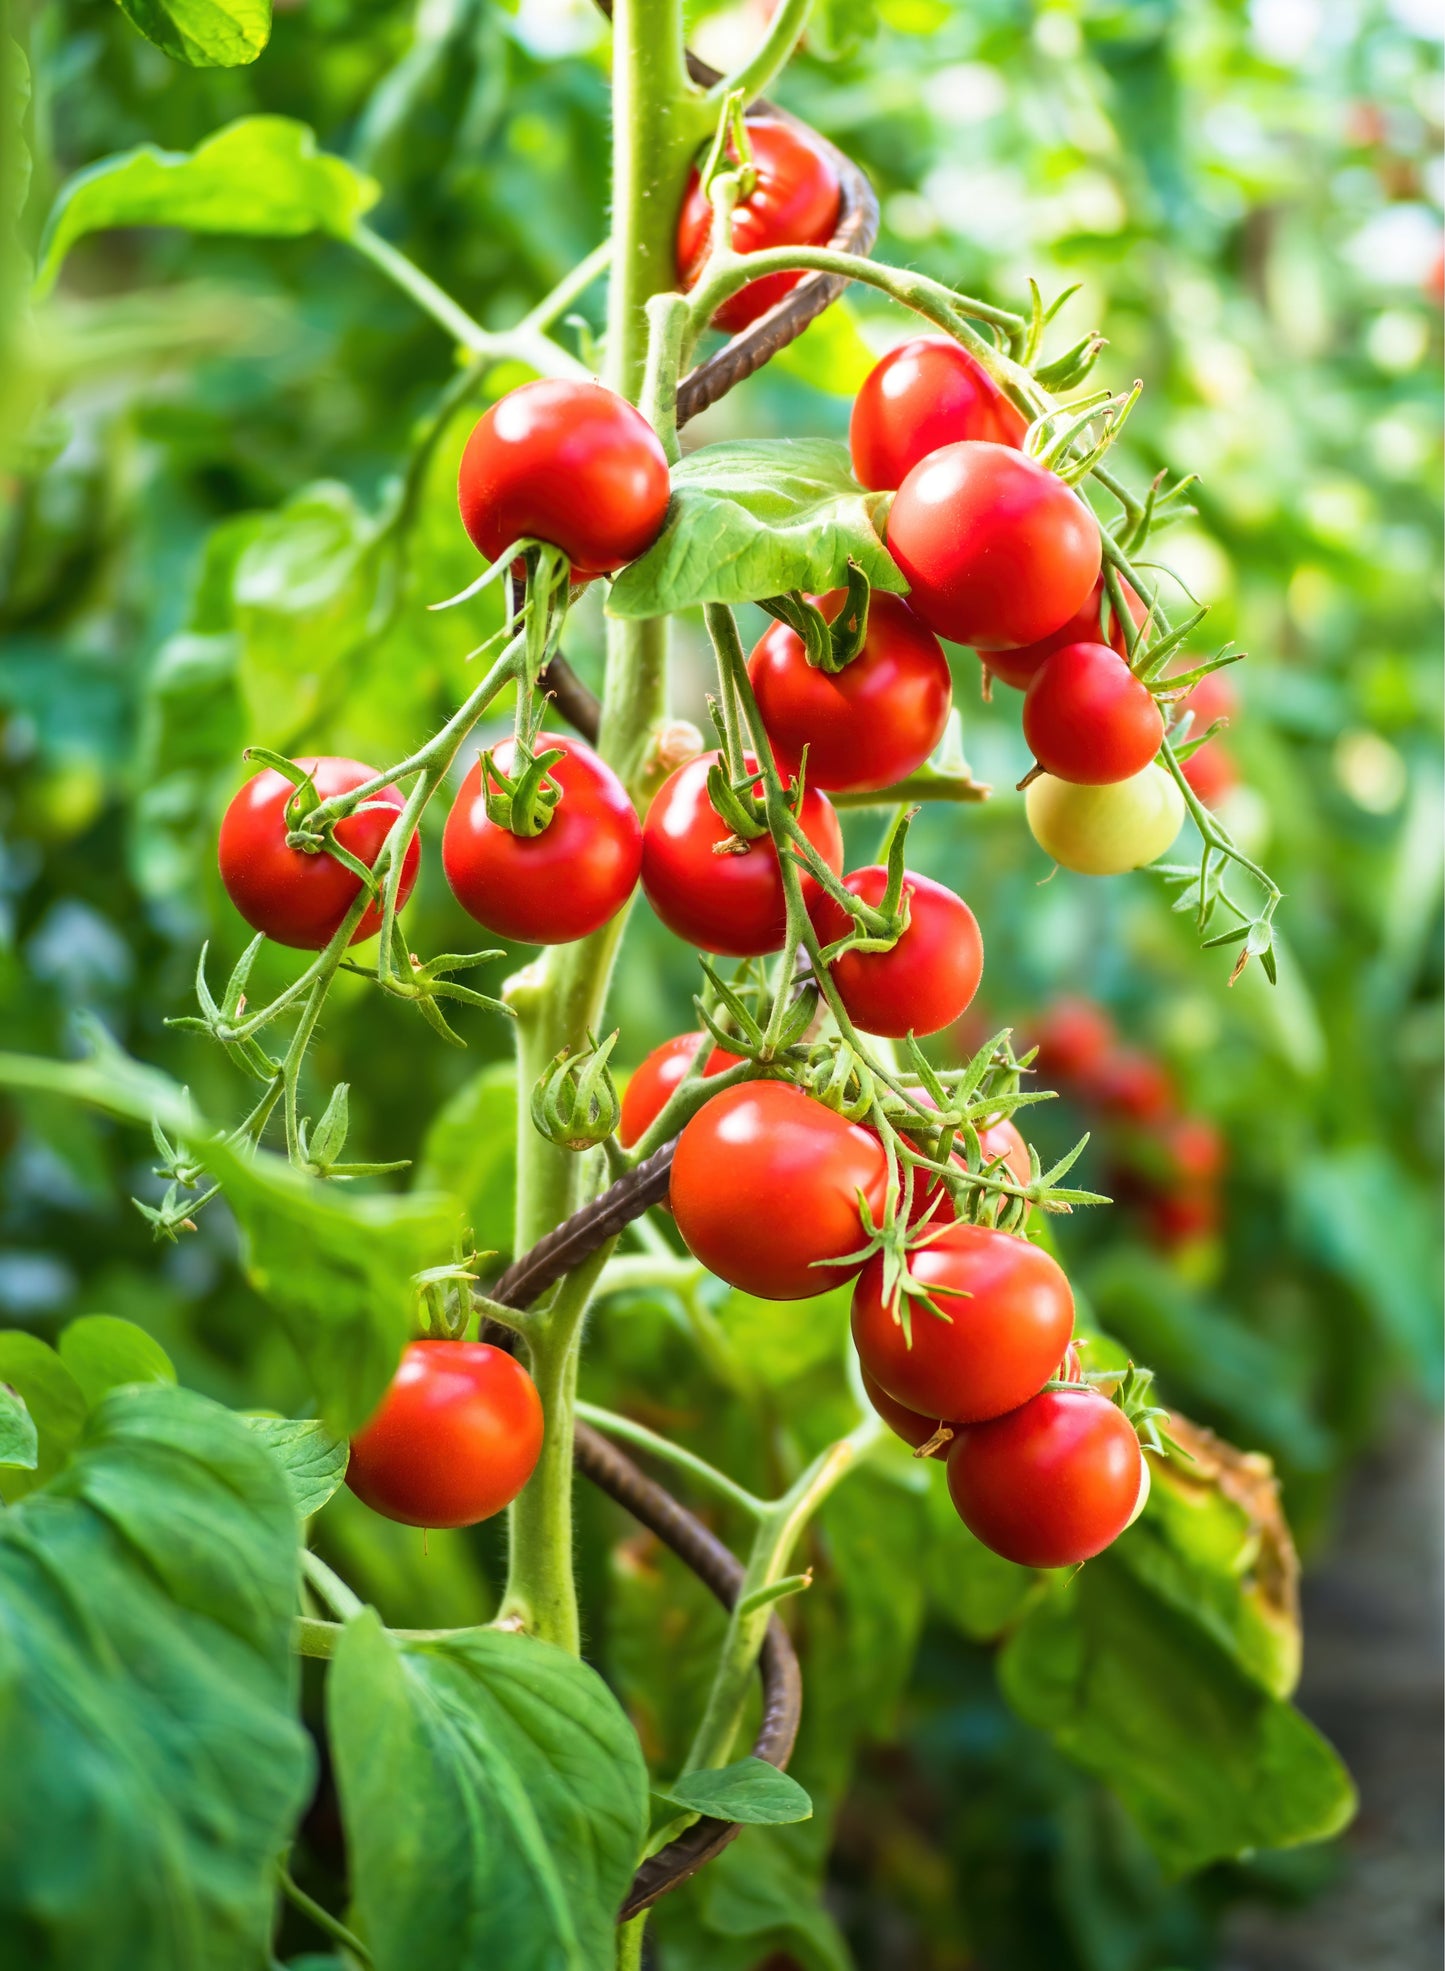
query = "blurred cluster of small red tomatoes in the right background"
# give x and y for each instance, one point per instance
(1168, 1162)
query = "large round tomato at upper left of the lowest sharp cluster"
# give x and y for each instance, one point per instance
(766, 1184)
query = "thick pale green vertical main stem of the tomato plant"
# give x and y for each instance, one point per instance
(657, 125)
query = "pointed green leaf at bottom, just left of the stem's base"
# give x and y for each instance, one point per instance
(494, 1797)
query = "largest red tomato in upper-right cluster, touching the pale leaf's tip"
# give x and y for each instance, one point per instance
(997, 549)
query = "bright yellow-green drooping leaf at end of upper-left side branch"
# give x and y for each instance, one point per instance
(261, 176)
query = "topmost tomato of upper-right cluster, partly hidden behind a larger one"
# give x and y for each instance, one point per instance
(926, 395)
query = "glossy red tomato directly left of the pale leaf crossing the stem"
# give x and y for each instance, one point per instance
(571, 464)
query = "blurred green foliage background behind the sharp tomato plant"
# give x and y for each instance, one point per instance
(196, 456)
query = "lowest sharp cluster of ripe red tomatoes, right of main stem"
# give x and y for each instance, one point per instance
(969, 1357)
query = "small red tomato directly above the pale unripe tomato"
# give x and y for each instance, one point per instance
(1089, 718)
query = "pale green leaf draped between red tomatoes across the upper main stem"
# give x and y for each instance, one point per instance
(758, 517)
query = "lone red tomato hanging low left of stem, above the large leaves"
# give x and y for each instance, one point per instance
(456, 1436)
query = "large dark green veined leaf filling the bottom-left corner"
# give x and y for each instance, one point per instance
(155, 1763)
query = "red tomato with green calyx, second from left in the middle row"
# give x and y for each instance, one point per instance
(563, 884)
